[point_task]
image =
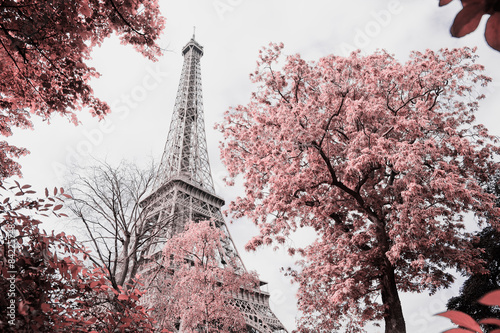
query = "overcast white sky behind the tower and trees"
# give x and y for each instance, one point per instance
(142, 95)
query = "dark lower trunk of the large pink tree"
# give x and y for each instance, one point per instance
(394, 320)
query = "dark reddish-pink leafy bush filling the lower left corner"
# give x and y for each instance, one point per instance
(43, 277)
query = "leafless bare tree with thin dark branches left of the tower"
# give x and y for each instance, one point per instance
(106, 200)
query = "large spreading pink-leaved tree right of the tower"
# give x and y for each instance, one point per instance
(381, 158)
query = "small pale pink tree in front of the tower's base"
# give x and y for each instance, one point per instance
(196, 282)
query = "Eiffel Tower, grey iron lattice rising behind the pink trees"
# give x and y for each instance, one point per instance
(184, 189)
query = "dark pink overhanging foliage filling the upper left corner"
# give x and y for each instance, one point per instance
(44, 46)
